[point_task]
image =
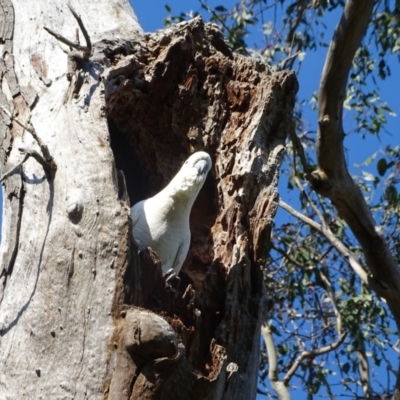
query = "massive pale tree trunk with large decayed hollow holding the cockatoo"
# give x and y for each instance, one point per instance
(117, 124)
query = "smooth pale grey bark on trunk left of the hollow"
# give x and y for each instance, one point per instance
(61, 238)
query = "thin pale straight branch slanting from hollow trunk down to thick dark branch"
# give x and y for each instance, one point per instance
(339, 246)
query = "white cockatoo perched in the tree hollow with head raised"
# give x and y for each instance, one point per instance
(162, 221)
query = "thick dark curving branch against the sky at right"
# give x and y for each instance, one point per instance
(332, 178)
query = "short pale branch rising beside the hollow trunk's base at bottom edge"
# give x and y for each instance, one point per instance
(279, 387)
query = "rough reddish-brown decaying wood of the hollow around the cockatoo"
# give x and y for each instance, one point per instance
(187, 92)
